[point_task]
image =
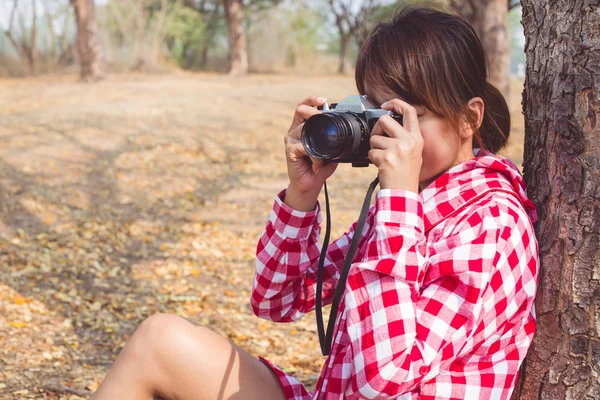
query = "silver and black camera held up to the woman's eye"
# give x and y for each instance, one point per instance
(342, 132)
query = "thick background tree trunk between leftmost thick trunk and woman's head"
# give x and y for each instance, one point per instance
(238, 56)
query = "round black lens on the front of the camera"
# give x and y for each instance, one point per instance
(331, 135)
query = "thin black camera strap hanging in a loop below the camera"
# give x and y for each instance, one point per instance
(326, 339)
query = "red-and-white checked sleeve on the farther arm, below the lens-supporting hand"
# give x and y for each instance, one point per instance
(287, 259)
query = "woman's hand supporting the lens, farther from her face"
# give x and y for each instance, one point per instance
(306, 174)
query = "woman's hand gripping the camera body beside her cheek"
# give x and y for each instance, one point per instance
(397, 149)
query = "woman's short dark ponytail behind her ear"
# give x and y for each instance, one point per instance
(495, 128)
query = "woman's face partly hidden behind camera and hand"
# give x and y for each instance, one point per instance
(443, 146)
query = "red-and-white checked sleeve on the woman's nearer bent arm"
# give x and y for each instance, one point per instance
(402, 333)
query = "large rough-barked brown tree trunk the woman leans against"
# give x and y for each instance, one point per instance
(562, 170)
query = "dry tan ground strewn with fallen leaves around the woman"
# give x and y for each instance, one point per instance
(145, 194)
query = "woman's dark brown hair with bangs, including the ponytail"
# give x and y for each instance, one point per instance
(434, 58)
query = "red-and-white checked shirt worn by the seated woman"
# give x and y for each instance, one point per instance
(439, 303)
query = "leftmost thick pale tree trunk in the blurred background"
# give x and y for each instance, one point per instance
(88, 44)
